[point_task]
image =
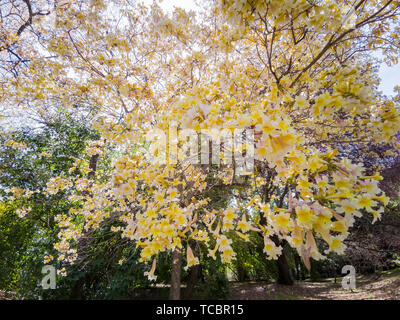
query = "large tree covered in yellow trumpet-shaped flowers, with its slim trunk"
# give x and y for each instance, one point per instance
(296, 79)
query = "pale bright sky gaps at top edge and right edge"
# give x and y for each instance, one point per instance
(390, 76)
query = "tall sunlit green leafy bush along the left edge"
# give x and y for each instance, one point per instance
(25, 241)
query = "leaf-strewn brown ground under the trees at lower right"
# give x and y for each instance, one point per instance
(383, 286)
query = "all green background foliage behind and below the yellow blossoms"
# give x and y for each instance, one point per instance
(24, 242)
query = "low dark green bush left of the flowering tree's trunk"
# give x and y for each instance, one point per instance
(102, 277)
